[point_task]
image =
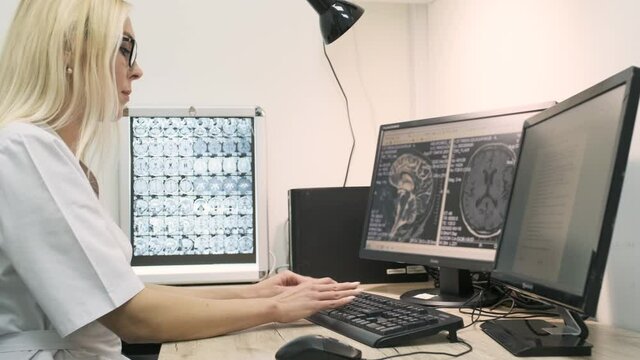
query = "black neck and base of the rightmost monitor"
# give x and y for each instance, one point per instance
(540, 338)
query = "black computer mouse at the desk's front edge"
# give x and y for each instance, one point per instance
(317, 347)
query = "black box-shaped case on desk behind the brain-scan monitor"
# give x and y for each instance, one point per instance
(325, 231)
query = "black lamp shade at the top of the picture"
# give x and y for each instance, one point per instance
(336, 17)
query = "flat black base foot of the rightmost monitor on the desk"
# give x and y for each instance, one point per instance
(528, 338)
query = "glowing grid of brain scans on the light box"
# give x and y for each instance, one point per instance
(193, 187)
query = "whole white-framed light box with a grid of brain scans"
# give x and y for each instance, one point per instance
(193, 194)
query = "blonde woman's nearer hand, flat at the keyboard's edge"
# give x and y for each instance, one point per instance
(309, 297)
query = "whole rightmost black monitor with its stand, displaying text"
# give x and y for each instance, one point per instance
(562, 212)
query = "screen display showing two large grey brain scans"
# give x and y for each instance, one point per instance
(444, 188)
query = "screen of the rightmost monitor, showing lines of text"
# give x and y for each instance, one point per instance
(564, 198)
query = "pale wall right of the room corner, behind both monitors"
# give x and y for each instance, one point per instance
(484, 54)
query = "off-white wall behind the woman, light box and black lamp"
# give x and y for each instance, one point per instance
(269, 53)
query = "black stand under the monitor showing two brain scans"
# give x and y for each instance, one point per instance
(456, 290)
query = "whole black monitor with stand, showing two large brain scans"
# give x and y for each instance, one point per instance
(439, 194)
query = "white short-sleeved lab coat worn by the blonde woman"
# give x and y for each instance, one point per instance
(63, 262)
